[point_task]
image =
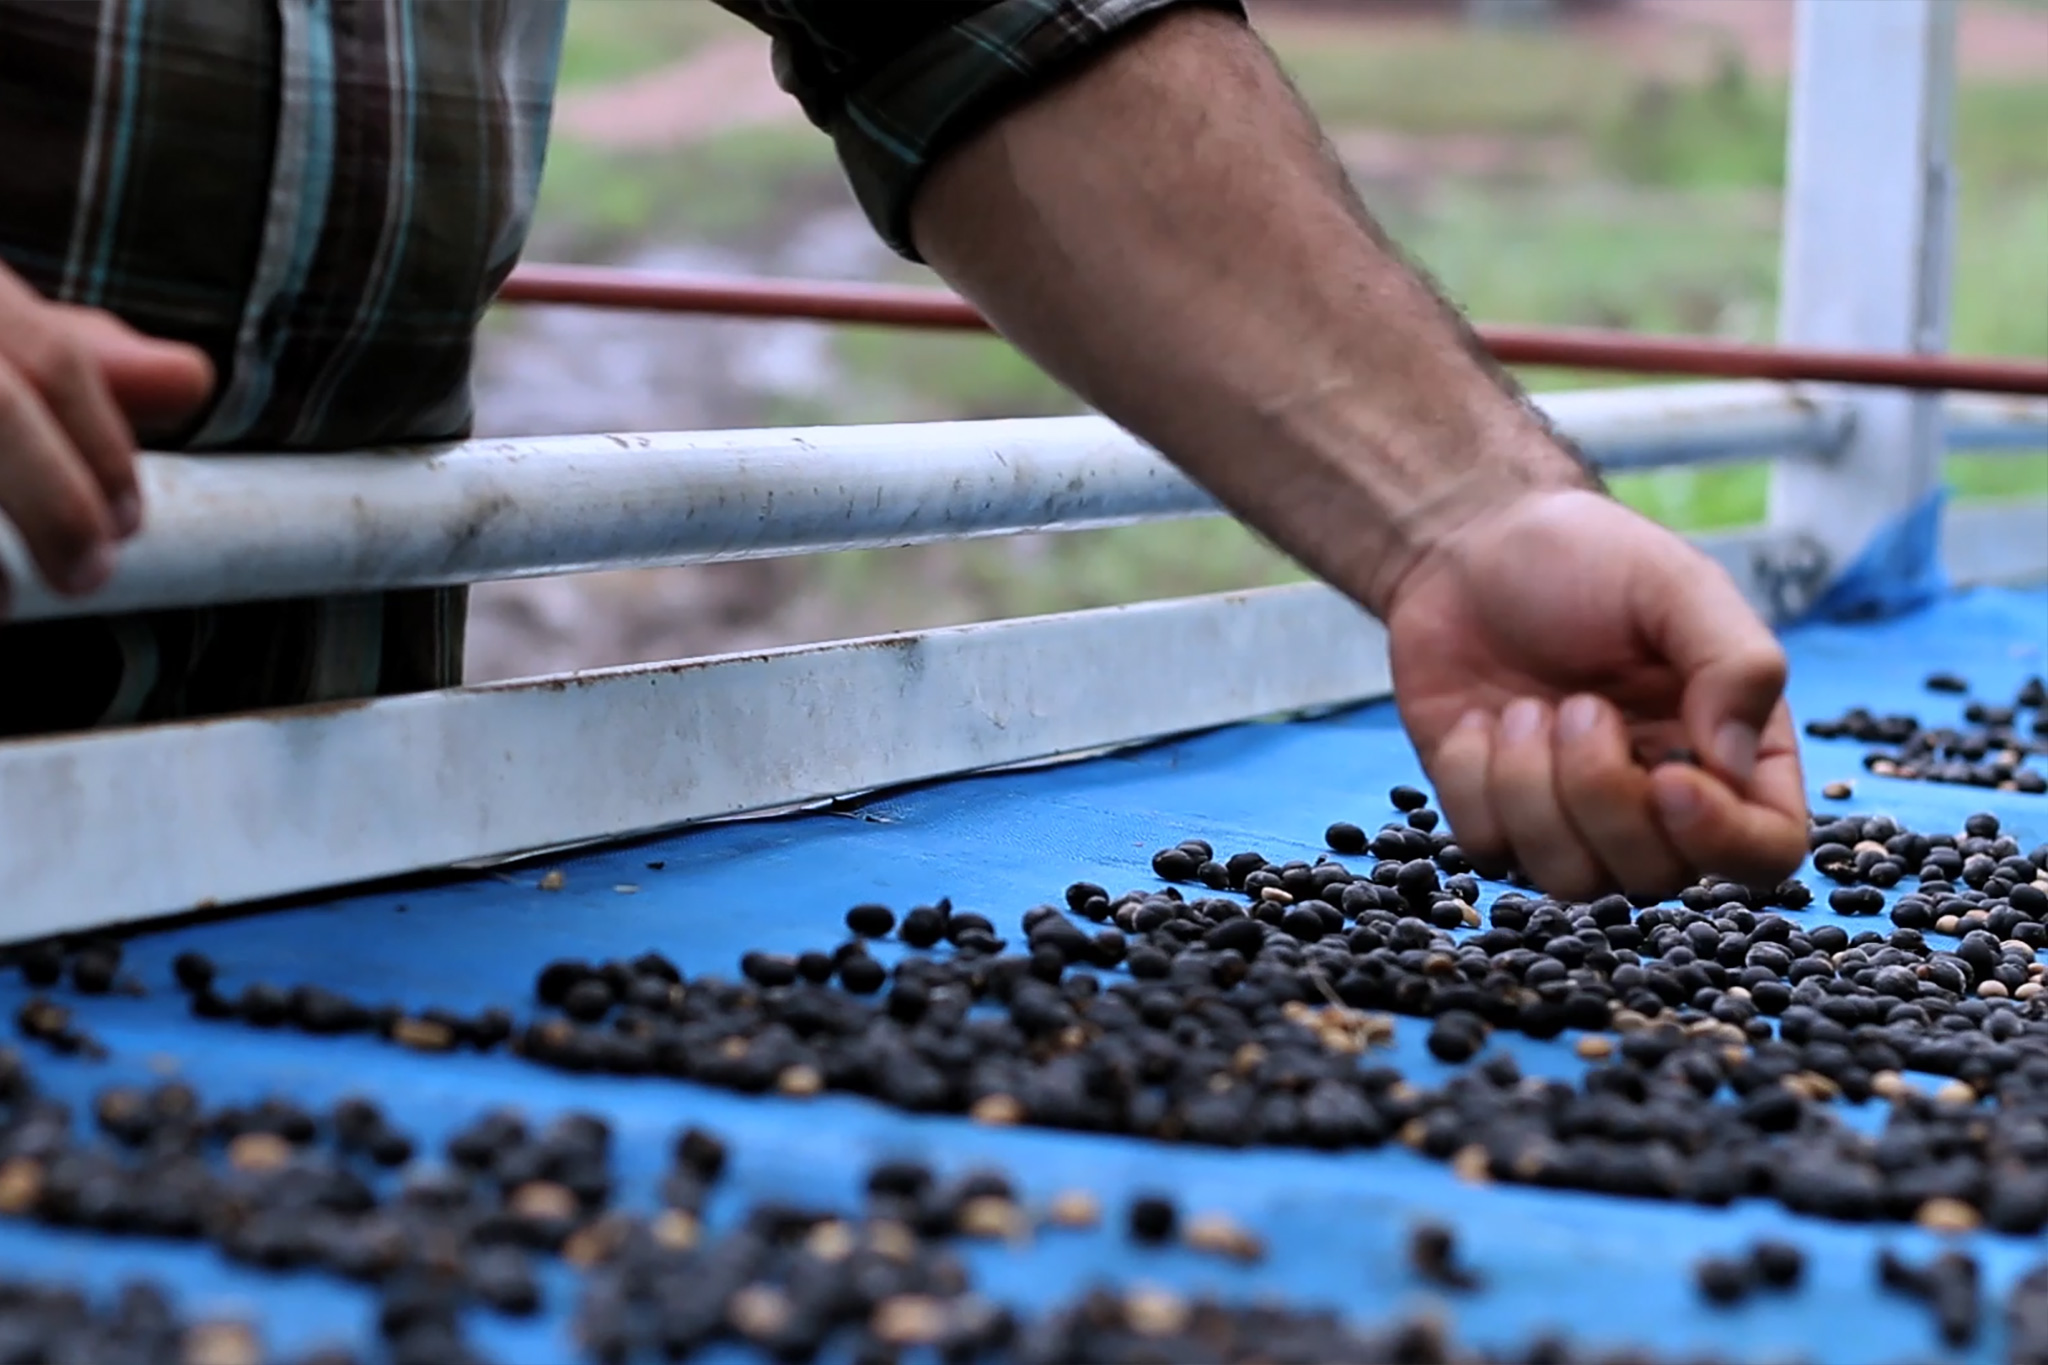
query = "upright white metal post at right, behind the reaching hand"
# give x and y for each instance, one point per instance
(1867, 263)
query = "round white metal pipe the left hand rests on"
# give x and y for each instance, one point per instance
(234, 529)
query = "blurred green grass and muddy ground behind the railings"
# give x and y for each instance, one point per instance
(1590, 163)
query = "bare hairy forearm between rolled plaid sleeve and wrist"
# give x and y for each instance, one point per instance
(1170, 238)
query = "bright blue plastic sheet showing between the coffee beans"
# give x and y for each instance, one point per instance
(1609, 1270)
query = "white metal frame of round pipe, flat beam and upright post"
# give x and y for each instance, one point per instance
(161, 820)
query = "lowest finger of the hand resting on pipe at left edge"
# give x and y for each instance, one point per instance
(50, 494)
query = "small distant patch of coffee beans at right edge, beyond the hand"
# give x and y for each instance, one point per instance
(1996, 746)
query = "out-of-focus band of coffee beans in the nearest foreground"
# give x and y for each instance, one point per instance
(286, 1190)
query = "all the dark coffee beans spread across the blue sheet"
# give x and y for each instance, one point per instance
(1240, 1004)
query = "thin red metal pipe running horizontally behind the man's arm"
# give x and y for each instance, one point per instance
(900, 306)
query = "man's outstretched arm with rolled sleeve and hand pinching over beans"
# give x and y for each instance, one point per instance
(1134, 195)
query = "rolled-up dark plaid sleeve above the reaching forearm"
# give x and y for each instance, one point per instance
(898, 83)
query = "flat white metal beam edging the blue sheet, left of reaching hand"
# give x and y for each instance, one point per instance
(148, 822)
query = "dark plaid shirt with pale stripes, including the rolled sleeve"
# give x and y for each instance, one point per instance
(325, 195)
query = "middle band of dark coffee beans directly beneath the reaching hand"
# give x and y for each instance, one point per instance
(1721, 1030)
